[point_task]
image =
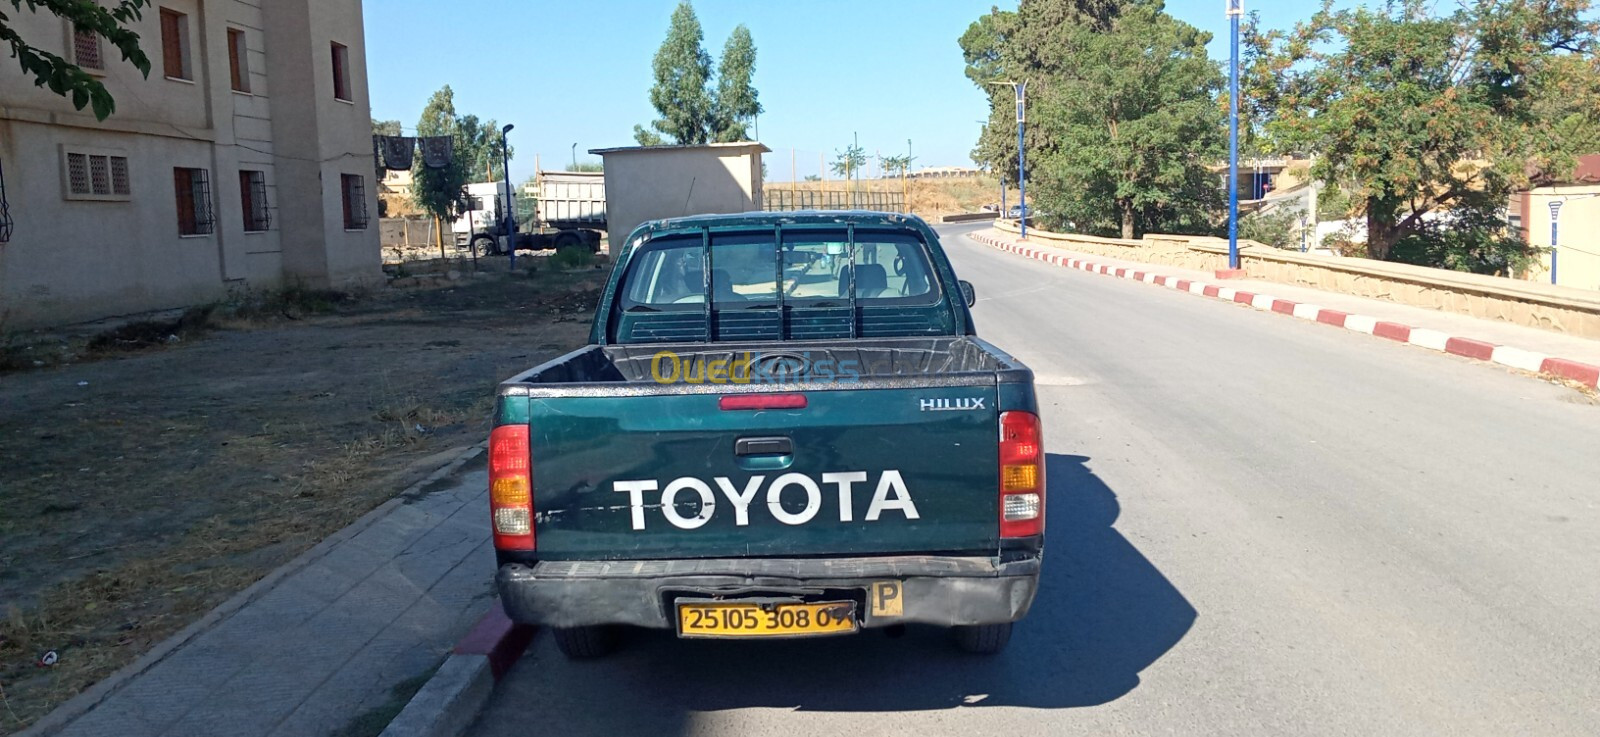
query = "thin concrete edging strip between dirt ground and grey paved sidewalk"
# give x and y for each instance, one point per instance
(94, 696)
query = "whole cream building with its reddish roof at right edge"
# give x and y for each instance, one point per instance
(1577, 199)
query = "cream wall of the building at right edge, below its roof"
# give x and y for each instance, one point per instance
(1578, 249)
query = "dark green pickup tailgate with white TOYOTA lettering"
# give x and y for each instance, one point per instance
(889, 469)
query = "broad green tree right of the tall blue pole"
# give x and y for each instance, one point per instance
(1426, 118)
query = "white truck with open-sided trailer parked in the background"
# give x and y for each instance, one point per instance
(558, 210)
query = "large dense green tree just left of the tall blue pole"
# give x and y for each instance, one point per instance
(1124, 116)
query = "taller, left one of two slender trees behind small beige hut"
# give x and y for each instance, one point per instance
(682, 74)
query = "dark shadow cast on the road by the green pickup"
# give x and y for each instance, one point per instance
(1103, 615)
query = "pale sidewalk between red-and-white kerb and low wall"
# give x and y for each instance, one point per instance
(1489, 332)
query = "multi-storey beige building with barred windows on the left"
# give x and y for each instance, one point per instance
(244, 161)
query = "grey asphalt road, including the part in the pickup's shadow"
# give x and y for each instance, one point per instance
(1257, 527)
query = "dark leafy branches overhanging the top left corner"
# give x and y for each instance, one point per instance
(63, 78)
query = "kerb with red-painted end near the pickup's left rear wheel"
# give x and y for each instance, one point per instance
(463, 685)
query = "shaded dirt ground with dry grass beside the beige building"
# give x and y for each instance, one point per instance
(142, 490)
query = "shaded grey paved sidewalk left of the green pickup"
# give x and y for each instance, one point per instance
(324, 639)
